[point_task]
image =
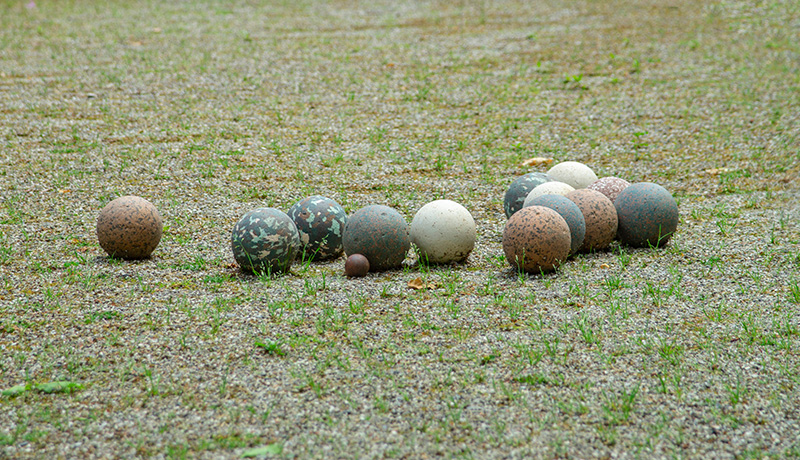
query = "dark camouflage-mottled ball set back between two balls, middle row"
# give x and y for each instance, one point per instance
(320, 222)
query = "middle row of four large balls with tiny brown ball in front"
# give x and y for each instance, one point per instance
(374, 238)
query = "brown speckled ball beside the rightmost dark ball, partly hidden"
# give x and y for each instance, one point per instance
(600, 216)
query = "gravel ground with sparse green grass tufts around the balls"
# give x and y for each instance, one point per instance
(211, 109)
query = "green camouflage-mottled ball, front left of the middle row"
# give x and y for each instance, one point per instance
(265, 240)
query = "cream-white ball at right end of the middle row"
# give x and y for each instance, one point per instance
(443, 231)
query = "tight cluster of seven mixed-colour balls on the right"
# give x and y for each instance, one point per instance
(568, 209)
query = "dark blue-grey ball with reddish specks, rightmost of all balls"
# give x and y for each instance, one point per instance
(648, 215)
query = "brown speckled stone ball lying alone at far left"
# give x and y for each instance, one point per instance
(129, 227)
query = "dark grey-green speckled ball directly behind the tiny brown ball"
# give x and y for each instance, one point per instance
(380, 234)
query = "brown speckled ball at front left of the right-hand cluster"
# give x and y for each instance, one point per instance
(536, 239)
